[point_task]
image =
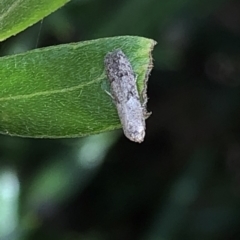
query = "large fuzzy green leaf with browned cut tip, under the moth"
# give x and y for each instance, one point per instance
(60, 91)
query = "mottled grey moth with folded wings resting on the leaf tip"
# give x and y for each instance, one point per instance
(124, 91)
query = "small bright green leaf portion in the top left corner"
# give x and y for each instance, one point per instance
(17, 15)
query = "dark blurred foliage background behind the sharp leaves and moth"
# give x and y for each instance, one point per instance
(183, 181)
